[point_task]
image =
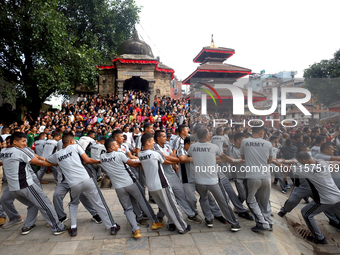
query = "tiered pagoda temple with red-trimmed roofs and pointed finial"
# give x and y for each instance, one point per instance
(212, 75)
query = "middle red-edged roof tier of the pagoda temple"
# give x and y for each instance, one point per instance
(217, 70)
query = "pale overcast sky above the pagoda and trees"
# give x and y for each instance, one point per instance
(266, 35)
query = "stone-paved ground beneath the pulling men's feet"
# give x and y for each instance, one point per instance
(94, 239)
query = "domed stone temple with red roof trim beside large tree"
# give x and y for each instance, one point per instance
(135, 68)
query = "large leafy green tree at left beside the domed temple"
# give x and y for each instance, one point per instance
(51, 47)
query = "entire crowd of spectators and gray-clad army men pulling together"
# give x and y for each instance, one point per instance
(170, 154)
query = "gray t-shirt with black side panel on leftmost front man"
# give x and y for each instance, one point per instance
(17, 167)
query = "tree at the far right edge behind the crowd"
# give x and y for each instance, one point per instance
(323, 80)
